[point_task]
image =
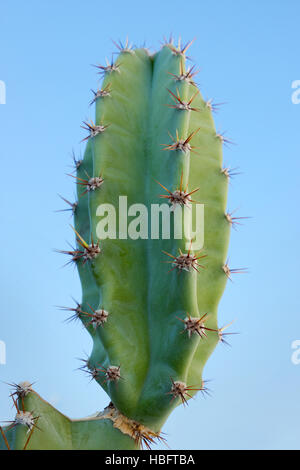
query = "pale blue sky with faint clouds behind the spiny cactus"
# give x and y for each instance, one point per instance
(248, 55)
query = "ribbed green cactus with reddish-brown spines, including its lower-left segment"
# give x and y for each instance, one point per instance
(149, 302)
